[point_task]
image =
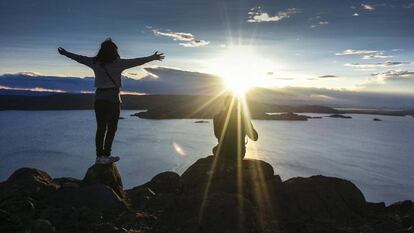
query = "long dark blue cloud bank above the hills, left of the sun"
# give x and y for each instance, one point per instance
(157, 80)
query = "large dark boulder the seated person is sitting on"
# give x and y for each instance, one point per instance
(253, 179)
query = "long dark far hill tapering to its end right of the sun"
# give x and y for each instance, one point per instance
(183, 103)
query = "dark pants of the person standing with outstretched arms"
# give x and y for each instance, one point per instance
(107, 115)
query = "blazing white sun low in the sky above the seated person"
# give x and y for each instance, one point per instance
(241, 68)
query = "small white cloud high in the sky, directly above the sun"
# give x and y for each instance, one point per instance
(256, 15)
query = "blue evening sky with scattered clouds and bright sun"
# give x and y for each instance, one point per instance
(341, 45)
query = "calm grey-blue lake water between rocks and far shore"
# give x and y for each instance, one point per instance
(377, 156)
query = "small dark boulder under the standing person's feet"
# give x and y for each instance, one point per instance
(106, 174)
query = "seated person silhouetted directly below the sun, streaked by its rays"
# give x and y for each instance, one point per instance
(231, 126)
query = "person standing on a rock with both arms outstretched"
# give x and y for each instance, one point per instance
(107, 67)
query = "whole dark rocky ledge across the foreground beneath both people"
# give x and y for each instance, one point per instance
(210, 196)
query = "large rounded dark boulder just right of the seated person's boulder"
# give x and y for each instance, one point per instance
(321, 199)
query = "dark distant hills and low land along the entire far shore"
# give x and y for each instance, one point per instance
(170, 106)
